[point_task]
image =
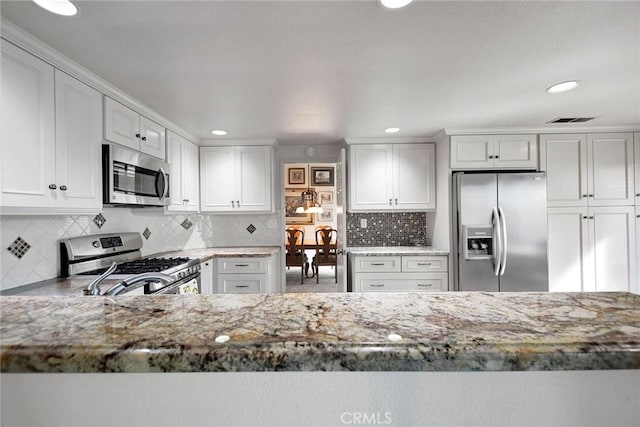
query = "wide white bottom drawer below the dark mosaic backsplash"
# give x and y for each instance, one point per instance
(429, 282)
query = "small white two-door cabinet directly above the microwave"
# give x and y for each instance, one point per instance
(126, 127)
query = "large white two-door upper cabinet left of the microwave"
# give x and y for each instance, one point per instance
(50, 144)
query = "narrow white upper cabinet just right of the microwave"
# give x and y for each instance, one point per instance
(184, 177)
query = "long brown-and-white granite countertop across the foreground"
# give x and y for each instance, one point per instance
(427, 331)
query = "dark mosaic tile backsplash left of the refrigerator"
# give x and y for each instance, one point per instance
(386, 229)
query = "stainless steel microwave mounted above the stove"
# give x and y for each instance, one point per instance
(133, 178)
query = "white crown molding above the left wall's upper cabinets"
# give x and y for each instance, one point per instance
(19, 37)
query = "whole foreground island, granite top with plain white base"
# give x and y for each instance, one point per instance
(463, 359)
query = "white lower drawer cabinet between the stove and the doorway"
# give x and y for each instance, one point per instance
(236, 275)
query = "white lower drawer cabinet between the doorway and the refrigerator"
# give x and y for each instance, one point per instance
(399, 273)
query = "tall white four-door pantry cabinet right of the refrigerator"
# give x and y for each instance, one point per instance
(591, 215)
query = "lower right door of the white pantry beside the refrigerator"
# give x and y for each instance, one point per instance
(612, 241)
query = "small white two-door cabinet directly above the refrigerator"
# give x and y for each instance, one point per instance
(494, 152)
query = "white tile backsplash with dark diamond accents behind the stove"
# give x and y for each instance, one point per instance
(40, 260)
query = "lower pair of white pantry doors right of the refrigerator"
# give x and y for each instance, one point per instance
(592, 249)
